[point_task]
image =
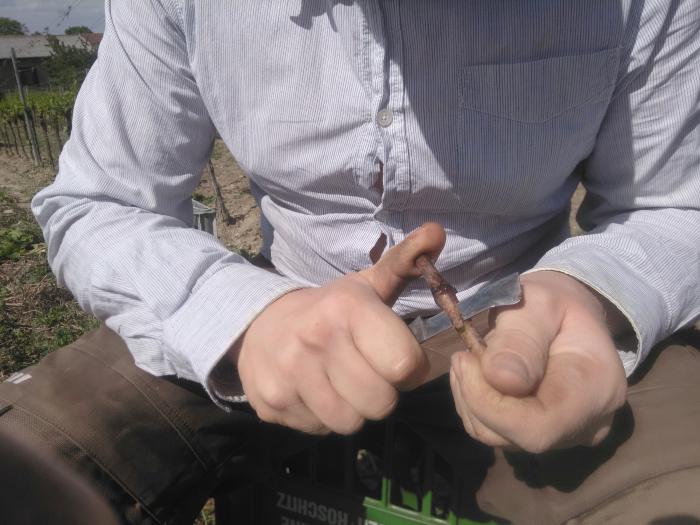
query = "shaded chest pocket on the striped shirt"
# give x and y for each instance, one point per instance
(528, 123)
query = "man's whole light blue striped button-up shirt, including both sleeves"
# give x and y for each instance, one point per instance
(355, 119)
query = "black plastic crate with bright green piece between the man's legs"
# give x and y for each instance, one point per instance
(385, 475)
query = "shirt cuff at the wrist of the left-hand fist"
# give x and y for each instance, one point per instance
(214, 316)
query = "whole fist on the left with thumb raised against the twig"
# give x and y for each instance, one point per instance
(326, 359)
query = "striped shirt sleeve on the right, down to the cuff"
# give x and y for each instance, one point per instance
(642, 207)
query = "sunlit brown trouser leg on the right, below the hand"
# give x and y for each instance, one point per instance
(652, 452)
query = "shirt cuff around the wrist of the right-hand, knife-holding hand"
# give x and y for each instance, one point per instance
(602, 271)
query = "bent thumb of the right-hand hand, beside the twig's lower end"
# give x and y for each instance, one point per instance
(517, 349)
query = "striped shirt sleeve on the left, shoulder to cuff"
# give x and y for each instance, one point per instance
(118, 217)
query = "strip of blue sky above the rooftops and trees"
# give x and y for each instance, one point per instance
(37, 15)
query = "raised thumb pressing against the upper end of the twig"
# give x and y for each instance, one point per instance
(397, 267)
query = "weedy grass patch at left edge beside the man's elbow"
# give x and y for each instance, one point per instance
(36, 316)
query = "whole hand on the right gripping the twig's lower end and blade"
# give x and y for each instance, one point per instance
(550, 377)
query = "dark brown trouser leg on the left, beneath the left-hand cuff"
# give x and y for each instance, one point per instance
(155, 447)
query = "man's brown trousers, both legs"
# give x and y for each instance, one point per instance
(156, 448)
